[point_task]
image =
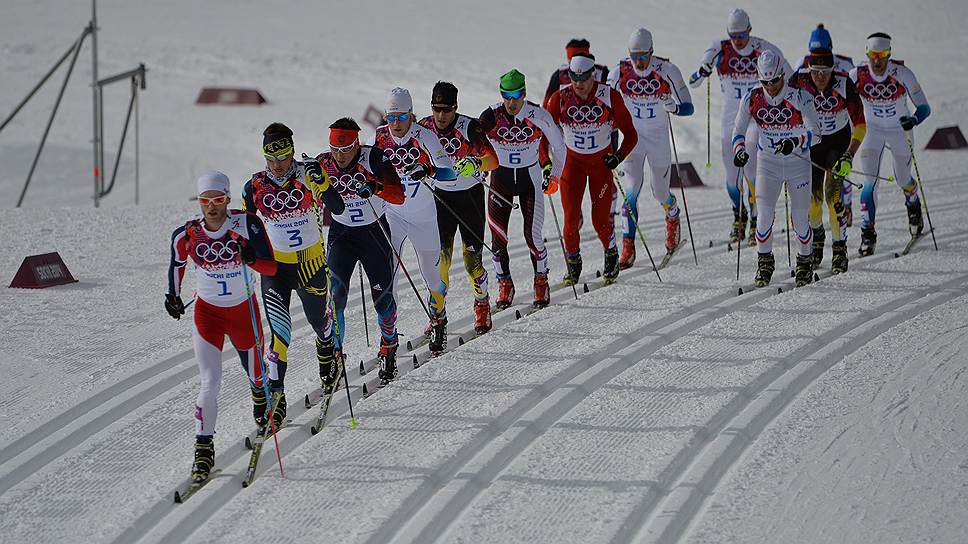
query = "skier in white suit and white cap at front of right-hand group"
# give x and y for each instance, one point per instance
(788, 125)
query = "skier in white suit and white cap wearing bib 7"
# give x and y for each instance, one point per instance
(423, 165)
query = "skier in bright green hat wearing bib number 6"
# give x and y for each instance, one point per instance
(516, 128)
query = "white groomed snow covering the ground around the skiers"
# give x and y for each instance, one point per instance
(645, 411)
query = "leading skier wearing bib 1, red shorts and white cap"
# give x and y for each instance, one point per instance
(220, 242)
